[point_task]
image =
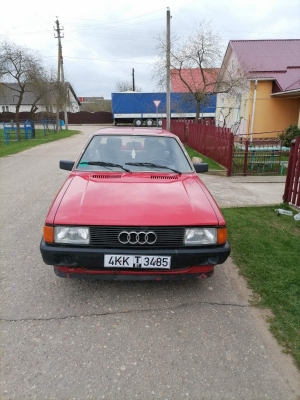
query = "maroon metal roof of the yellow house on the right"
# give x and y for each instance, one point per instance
(271, 59)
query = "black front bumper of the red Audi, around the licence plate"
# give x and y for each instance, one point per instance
(71, 260)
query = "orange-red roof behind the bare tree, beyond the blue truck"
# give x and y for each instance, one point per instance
(194, 79)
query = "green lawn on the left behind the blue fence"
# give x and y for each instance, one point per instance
(14, 146)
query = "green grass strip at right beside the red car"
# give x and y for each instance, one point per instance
(266, 249)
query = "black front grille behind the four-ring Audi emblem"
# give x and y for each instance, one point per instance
(108, 236)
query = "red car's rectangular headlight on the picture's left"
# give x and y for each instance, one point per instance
(71, 235)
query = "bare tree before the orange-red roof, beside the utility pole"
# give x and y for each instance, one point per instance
(196, 60)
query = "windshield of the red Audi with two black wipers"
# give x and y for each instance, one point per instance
(134, 153)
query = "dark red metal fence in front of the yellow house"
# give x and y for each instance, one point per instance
(240, 155)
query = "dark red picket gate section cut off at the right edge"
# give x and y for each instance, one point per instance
(292, 184)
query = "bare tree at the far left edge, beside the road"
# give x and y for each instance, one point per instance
(20, 66)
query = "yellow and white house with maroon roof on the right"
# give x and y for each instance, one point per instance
(270, 101)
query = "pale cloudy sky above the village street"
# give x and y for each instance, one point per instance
(104, 41)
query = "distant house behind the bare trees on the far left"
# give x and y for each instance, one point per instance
(9, 100)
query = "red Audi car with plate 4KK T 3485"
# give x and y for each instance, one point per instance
(133, 207)
